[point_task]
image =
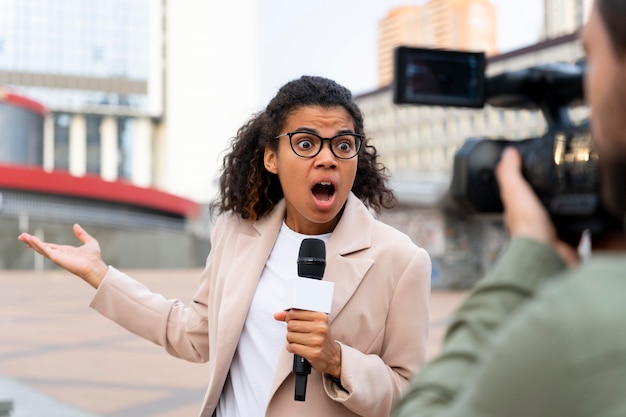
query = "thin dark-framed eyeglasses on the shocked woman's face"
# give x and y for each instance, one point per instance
(308, 145)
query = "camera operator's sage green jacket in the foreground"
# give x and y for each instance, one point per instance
(532, 339)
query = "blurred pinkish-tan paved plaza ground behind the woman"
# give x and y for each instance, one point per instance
(59, 358)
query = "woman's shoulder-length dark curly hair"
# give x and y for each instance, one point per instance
(251, 191)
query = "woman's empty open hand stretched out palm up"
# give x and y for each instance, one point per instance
(84, 261)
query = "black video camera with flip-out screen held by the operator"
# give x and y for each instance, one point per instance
(560, 165)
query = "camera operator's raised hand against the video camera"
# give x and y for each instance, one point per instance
(524, 215)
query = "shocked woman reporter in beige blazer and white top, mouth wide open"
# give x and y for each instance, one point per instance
(300, 168)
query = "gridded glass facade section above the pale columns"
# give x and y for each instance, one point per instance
(78, 53)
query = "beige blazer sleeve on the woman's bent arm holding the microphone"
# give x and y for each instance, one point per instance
(372, 383)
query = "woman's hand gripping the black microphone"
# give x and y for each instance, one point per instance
(308, 335)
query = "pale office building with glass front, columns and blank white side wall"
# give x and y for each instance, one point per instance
(136, 90)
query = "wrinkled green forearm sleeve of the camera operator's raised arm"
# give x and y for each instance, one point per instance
(521, 270)
